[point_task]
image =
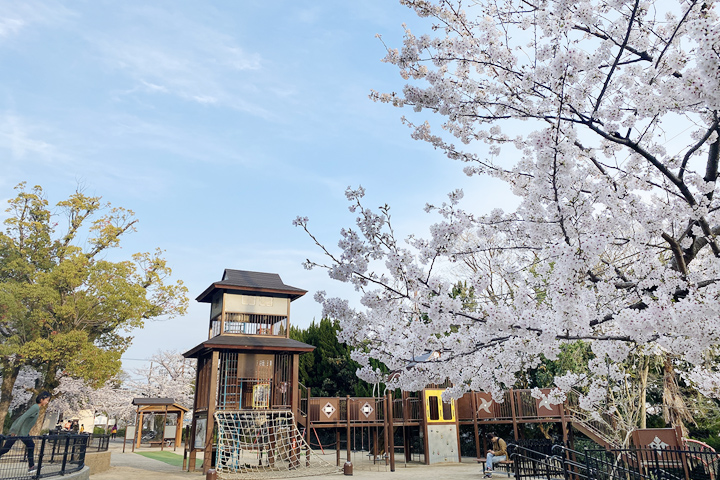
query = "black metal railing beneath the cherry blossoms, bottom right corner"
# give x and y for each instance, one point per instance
(616, 464)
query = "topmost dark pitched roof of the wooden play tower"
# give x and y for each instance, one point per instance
(251, 282)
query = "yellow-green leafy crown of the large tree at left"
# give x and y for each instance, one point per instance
(66, 309)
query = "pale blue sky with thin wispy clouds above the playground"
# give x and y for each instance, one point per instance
(217, 123)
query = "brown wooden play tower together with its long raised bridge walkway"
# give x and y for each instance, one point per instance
(249, 363)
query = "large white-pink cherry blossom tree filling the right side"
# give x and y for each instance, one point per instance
(601, 116)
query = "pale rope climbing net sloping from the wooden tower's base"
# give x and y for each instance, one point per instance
(264, 444)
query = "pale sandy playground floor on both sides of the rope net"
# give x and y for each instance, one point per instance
(131, 466)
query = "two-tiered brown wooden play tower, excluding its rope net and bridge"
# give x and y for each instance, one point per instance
(249, 361)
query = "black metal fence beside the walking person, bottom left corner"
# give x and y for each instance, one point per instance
(41, 456)
